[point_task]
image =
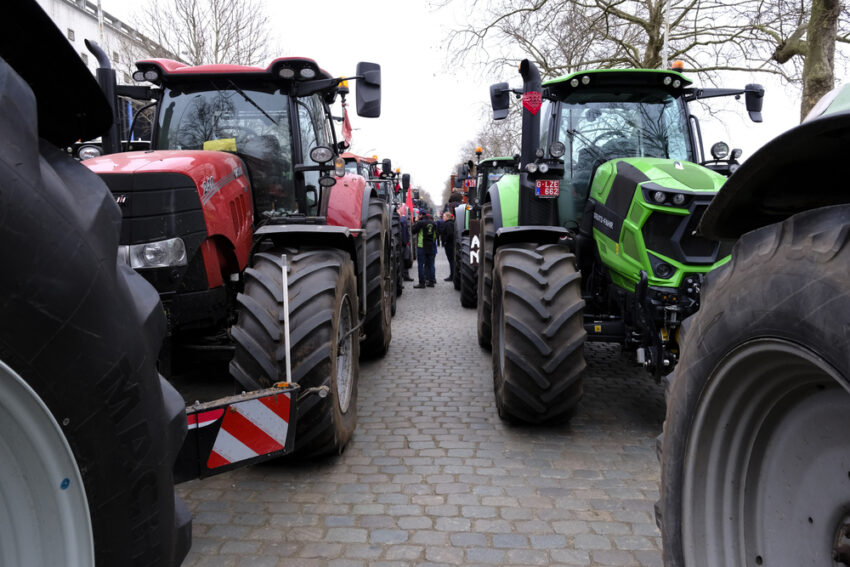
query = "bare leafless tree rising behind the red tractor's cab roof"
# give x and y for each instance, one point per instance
(208, 31)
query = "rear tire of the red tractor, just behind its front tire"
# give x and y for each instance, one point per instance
(377, 325)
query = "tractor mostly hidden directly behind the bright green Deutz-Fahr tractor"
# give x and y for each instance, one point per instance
(468, 222)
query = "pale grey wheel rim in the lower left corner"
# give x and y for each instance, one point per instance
(42, 497)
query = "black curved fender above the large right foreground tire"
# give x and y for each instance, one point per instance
(796, 171)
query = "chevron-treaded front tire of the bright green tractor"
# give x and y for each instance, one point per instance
(538, 333)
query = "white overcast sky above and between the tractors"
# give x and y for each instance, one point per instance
(431, 105)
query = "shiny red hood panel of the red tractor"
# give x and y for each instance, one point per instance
(223, 189)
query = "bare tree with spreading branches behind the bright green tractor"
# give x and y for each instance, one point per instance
(565, 36)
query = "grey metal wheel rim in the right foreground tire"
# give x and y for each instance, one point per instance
(768, 482)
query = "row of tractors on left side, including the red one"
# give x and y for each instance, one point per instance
(240, 231)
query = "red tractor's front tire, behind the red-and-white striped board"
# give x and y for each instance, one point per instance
(322, 313)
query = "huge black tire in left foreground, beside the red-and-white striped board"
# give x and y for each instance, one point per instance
(83, 331)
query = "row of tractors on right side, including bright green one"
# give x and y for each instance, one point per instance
(726, 281)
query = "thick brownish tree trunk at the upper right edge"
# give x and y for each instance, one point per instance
(819, 68)
